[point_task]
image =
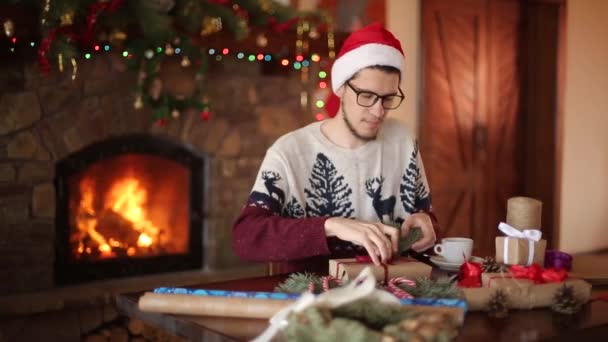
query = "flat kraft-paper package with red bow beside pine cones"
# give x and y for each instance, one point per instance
(525, 296)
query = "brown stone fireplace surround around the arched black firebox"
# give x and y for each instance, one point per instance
(45, 118)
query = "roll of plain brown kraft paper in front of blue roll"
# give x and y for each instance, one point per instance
(211, 306)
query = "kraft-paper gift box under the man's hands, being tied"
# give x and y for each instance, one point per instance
(347, 269)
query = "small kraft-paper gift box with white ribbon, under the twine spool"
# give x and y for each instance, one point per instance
(518, 249)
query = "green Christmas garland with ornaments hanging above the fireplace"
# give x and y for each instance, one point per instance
(147, 32)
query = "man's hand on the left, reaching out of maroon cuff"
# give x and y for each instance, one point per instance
(371, 235)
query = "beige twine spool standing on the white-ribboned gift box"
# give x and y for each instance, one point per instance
(524, 213)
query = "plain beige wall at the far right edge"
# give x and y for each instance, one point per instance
(584, 185)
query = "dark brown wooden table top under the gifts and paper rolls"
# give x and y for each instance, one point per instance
(521, 325)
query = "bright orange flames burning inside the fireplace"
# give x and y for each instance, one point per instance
(122, 225)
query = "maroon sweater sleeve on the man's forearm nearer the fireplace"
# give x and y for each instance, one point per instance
(260, 235)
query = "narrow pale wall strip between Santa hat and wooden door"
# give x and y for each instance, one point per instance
(403, 19)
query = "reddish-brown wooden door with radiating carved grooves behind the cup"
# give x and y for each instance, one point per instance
(468, 134)
